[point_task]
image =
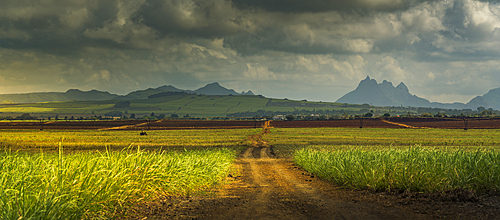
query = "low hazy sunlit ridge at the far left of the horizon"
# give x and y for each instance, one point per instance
(72, 94)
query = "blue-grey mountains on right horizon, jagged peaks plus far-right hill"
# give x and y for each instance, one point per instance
(385, 94)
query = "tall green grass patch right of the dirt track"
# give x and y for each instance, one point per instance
(414, 169)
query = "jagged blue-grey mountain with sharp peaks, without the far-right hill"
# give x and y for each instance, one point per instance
(385, 94)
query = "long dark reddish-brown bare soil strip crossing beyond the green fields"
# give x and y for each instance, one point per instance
(449, 123)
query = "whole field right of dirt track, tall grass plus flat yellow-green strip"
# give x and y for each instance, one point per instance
(416, 160)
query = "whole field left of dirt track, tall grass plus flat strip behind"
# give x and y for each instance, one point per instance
(91, 174)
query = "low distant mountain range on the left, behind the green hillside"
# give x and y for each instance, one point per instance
(94, 95)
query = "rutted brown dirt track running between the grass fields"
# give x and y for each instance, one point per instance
(271, 188)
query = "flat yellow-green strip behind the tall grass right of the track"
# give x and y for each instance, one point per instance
(288, 140)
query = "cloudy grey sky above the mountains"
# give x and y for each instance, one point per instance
(444, 51)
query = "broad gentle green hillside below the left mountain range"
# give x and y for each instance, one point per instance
(183, 104)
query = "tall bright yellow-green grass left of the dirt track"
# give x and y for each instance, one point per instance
(93, 185)
